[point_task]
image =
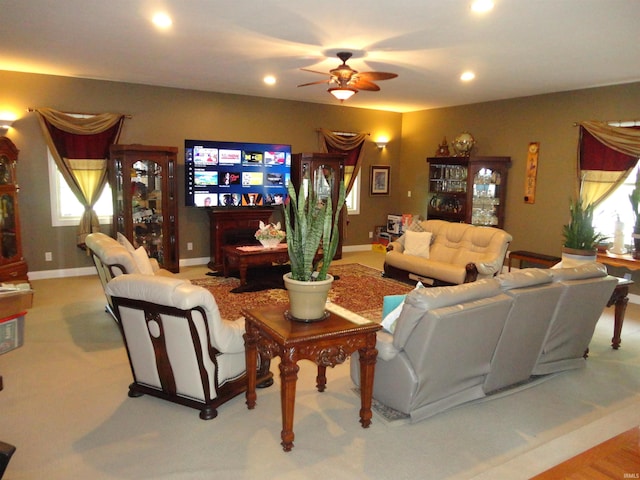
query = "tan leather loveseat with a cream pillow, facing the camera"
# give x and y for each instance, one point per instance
(446, 253)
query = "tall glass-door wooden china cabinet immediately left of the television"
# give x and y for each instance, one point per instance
(145, 199)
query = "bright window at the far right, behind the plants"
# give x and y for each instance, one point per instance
(617, 205)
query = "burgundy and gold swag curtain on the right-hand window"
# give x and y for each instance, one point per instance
(606, 156)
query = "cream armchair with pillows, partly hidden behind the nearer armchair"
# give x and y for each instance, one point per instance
(113, 258)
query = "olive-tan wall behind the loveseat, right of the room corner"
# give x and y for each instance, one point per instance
(506, 128)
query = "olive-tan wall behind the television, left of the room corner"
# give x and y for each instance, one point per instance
(164, 116)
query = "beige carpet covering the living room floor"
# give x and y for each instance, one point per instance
(65, 407)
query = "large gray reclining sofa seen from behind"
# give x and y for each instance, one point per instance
(455, 344)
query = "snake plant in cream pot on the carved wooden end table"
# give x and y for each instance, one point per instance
(310, 222)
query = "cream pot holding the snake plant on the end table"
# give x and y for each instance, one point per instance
(307, 300)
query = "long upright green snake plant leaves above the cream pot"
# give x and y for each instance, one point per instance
(309, 221)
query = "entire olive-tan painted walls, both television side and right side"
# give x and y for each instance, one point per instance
(164, 116)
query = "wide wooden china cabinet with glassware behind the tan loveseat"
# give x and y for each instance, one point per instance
(468, 189)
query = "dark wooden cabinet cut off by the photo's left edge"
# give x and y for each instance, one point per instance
(12, 266)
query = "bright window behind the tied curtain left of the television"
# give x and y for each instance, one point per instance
(66, 210)
